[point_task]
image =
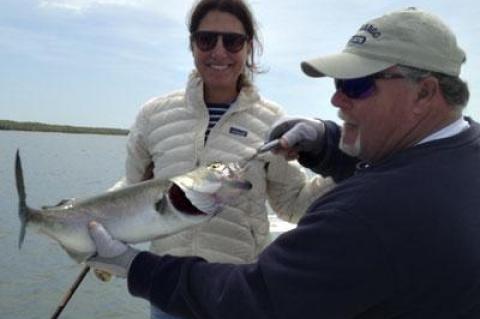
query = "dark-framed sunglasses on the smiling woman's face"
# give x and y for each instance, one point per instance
(207, 40)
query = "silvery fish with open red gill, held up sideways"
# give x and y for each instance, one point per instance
(136, 213)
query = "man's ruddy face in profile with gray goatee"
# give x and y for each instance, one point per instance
(377, 123)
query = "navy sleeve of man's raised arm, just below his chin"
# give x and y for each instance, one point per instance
(330, 160)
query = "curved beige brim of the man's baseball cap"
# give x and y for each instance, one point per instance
(343, 66)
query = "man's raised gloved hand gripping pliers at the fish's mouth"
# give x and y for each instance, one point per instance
(296, 135)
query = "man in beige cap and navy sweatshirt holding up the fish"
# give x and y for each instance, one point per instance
(398, 237)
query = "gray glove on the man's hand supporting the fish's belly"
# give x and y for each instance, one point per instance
(112, 255)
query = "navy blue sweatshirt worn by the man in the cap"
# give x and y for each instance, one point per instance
(400, 239)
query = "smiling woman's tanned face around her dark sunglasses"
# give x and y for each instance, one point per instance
(220, 68)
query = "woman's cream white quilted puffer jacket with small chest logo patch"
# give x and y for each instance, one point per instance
(169, 131)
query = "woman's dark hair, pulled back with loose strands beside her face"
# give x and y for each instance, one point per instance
(242, 12)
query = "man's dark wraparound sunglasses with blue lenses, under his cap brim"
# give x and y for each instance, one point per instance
(361, 88)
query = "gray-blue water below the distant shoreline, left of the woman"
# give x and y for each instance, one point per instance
(34, 279)
